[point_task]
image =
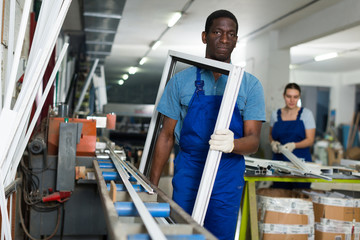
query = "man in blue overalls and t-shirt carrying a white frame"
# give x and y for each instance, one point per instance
(190, 112)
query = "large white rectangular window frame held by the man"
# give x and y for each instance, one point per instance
(223, 121)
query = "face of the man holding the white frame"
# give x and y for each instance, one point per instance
(221, 39)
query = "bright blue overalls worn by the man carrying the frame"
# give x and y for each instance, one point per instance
(198, 125)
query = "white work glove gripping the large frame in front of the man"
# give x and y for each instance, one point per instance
(222, 140)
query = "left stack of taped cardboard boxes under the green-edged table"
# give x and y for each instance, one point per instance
(284, 215)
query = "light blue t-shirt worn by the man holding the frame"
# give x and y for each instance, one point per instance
(180, 88)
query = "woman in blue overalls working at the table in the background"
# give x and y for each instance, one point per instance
(293, 127)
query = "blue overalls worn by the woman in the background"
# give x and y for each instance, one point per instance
(290, 131)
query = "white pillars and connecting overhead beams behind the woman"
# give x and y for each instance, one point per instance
(269, 56)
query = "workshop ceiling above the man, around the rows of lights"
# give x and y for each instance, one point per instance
(127, 39)
